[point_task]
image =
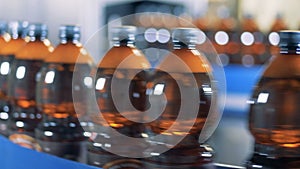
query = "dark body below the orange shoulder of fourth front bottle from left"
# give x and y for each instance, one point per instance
(60, 132)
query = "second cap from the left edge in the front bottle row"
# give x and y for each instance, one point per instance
(17, 28)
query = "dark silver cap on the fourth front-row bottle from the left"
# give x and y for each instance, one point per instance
(69, 33)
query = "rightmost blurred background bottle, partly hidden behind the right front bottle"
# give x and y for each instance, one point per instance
(273, 35)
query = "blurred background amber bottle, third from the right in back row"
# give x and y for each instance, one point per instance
(226, 38)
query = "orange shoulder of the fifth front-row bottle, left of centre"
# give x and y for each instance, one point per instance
(124, 57)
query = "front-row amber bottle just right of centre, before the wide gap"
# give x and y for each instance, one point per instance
(184, 74)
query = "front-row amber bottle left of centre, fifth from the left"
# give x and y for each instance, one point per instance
(124, 64)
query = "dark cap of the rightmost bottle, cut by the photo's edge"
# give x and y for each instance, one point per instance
(289, 38)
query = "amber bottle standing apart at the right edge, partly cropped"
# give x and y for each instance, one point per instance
(274, 119)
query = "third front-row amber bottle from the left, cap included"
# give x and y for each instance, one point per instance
(21, 86)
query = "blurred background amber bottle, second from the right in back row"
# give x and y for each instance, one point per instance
(253, 43)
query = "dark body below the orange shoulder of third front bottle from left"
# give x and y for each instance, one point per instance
(24, 113)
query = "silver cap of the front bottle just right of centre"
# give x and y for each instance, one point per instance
(185, 35)
